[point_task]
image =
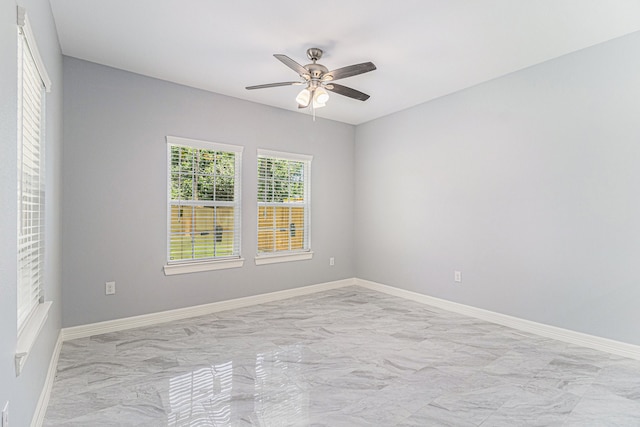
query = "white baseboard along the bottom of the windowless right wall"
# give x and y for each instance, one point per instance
(585, 340)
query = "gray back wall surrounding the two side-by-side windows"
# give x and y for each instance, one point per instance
(115, 192)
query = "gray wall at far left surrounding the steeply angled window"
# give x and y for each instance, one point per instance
(23, 392)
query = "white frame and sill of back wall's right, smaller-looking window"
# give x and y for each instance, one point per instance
(305, 253)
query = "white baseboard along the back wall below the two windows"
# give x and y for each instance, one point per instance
(84, 331)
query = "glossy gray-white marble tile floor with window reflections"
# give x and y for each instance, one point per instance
(345, 357)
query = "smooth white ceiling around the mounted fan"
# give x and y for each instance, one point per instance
(423, 49)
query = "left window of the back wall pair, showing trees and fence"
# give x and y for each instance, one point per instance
(204, 205)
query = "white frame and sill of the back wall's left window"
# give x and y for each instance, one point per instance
(214, 263)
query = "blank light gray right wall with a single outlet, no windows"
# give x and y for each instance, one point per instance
(528, 184)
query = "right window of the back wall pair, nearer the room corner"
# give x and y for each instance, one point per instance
(283, 206)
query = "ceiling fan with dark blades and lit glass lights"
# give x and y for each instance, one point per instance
(318, 79)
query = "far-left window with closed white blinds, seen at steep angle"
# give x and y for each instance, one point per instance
(33, 84)
